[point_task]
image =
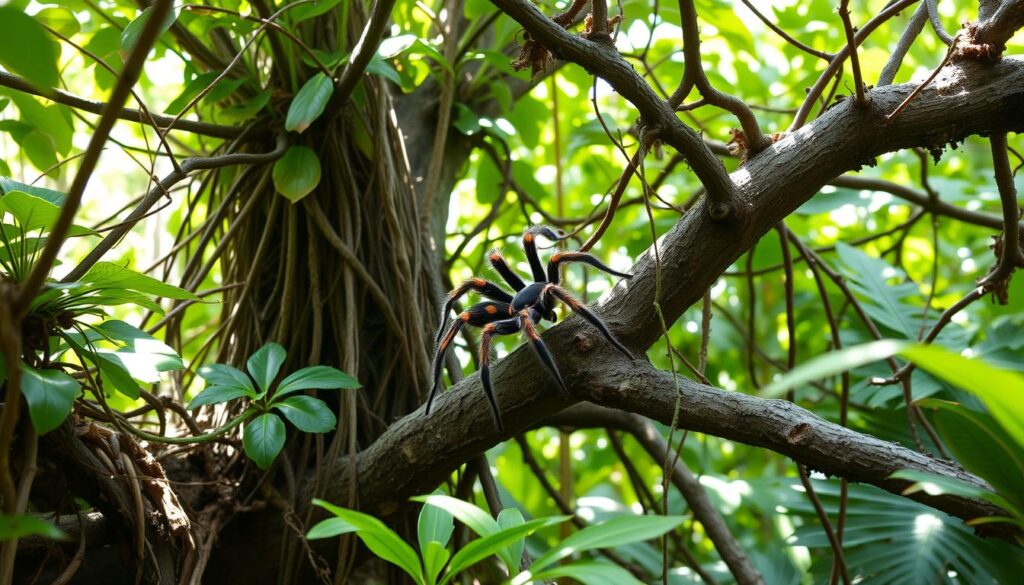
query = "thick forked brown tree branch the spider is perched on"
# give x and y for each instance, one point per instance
(418, 453)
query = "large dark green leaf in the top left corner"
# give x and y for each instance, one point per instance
(27, 49)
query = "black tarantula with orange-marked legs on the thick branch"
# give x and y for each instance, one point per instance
(505, 314)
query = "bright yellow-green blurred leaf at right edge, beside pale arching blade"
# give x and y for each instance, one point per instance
(1002, 391)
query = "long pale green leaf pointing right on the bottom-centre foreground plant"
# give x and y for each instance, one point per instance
(611, 534)
